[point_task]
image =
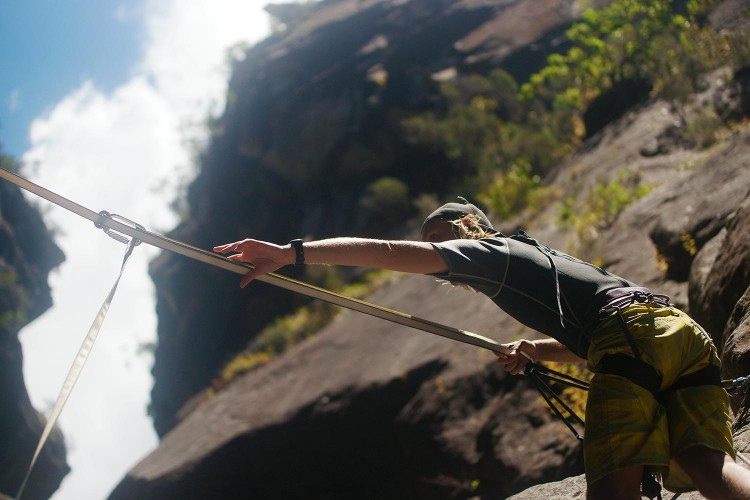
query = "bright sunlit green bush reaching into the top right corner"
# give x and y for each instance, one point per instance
(630, 40)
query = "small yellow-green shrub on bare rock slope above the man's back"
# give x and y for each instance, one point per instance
(600, 208)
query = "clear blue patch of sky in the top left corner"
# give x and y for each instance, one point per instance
(49, 48)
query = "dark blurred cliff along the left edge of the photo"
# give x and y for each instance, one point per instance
(27, 254)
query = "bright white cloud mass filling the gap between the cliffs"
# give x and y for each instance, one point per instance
(110, 152)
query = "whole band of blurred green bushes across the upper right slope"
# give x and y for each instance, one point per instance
(504, 137)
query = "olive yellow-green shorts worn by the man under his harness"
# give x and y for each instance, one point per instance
(626, 425)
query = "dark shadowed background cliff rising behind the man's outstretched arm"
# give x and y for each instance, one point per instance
(312, 120)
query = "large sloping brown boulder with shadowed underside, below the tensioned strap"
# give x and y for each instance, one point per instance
(367, 410)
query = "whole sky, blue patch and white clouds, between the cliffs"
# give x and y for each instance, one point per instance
(98, 101)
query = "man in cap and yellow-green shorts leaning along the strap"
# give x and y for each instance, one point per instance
(655, 399)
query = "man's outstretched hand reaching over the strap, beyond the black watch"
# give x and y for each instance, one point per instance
(265, 257)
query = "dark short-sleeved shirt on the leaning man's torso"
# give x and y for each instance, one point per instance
(544, 289)
